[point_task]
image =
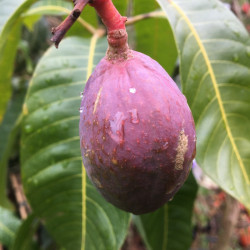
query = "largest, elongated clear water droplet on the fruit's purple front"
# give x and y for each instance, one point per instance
(117, 127)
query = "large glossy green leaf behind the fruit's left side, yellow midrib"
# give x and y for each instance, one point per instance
(55, 183)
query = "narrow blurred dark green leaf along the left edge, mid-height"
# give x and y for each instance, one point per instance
(9, 131)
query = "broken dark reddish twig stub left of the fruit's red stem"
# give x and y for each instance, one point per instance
(59, 31)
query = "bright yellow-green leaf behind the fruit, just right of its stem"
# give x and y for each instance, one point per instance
(154, 36)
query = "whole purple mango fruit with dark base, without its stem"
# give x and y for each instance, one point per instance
(137, 133)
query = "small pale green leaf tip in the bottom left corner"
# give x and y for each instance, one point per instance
(9, 224)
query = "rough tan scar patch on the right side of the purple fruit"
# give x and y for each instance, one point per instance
(181, 150)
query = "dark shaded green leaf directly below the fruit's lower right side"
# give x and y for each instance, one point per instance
(170, 226)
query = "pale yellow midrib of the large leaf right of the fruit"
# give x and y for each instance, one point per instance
(216, 88)
